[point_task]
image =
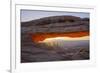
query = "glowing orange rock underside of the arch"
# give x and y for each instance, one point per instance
(41, 36)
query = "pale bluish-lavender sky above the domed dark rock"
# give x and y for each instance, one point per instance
(28, 15)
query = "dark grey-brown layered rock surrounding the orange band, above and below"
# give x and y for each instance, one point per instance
(33, 52)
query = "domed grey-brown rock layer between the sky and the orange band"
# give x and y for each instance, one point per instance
(56, 24)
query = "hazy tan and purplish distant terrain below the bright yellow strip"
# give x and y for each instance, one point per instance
(67, 44)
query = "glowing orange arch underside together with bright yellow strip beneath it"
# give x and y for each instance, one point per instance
(61, 36)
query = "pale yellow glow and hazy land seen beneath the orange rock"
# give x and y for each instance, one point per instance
(63, 41)
